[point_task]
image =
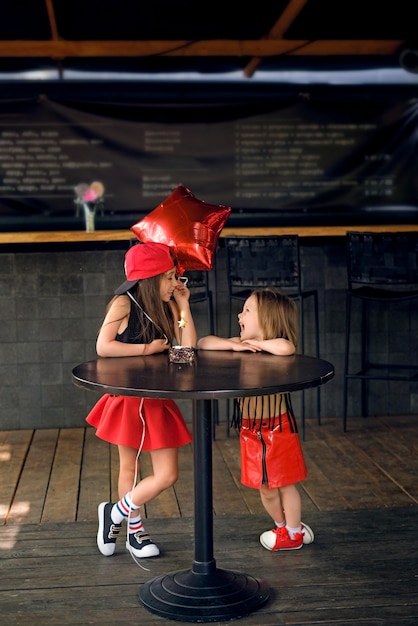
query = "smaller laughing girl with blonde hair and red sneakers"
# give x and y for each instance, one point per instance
(271, 455)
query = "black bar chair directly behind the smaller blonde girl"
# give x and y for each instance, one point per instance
(270, 261)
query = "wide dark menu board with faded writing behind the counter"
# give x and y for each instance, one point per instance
(293, 159)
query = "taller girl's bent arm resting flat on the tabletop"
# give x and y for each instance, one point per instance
(115, 321)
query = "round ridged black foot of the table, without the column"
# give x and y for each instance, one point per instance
(219, 596)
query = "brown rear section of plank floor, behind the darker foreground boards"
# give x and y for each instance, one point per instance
(61, 475)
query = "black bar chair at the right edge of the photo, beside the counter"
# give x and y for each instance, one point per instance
(381, 268)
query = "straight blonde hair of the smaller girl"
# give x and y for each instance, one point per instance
(277, 314)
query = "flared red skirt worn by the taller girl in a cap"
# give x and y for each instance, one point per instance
(117, 419)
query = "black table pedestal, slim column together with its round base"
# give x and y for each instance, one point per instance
(203, 593)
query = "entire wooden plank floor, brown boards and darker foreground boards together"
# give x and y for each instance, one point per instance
(361, 499)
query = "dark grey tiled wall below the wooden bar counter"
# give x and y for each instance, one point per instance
(52, 300)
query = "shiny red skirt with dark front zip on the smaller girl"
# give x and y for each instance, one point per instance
(271, 457)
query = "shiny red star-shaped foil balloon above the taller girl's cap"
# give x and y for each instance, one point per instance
(191, 227)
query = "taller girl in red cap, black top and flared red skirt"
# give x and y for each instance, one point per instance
(142, 319)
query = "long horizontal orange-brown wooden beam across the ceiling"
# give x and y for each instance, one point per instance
(211, 48)
